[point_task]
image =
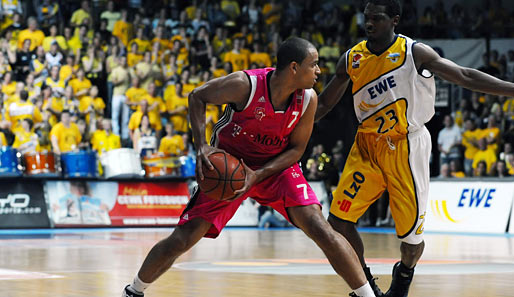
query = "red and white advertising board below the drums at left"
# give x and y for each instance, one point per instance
(116, 203)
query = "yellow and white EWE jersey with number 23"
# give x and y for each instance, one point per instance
(385, 87)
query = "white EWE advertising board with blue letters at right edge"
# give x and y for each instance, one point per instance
(478, 207)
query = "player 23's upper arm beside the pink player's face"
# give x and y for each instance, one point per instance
(334, 90)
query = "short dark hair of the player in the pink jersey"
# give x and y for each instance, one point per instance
(294, 49)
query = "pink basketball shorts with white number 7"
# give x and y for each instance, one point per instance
(280, 191)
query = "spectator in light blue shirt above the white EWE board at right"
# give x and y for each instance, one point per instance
(448, 141)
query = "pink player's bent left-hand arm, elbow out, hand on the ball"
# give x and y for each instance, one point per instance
(231, 89)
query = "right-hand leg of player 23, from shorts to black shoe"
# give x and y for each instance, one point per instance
(407, 182)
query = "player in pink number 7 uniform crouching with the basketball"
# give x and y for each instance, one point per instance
(267, 123)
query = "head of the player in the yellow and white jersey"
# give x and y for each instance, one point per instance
(377, 23)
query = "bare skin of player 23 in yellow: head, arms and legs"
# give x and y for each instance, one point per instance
(380, 30)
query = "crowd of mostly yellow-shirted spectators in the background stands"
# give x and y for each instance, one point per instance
(99, 75)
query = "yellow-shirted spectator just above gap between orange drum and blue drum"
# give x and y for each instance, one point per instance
(65, 135)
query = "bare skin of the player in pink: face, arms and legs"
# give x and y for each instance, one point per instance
(235, 89)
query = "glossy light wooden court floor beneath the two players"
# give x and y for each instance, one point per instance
(242, 262)
